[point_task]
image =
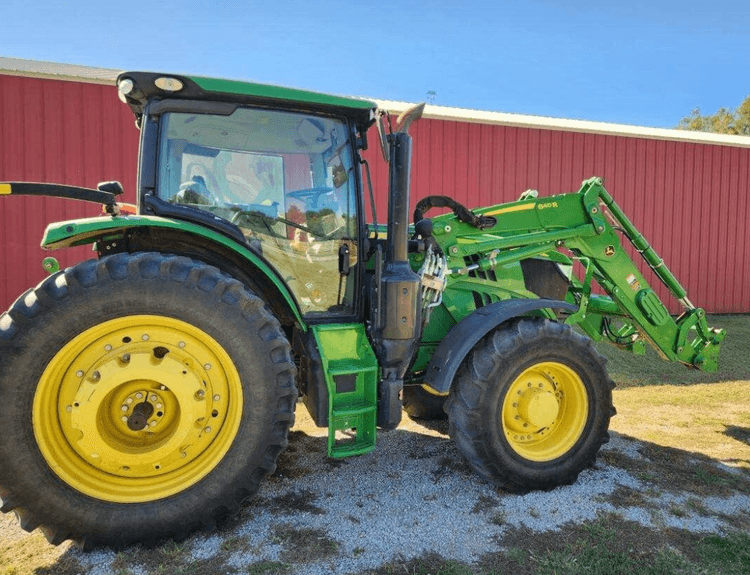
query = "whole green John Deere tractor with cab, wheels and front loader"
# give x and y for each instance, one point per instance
(147, 392)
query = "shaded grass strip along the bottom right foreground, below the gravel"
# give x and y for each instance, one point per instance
(607, 546)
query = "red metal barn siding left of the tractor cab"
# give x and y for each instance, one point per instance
(53, 132)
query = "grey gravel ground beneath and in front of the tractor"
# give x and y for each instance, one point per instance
(413, 495)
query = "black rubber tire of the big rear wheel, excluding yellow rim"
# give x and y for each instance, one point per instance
(177, 287)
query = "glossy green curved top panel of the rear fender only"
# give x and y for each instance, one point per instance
(88, 230)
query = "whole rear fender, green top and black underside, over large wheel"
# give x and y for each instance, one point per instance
(153, 233)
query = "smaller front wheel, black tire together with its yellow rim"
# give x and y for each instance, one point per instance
(531, 404)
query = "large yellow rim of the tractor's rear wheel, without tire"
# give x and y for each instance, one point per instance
(137, 408)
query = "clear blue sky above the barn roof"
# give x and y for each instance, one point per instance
(627, 62)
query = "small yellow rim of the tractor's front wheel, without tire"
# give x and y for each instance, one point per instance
(545, 411)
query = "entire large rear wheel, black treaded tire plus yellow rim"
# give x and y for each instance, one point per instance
(201, 358)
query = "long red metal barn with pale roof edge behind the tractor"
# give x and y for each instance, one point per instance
(687, 192)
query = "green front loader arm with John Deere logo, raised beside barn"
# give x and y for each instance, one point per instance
(590, 224)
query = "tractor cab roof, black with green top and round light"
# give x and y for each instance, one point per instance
(247, 93)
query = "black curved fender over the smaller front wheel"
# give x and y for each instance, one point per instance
(463, 336)
